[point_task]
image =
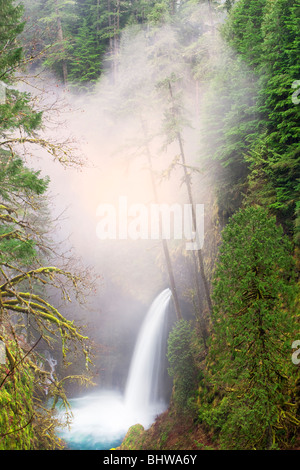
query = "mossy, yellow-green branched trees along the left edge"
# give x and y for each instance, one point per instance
(29, 323)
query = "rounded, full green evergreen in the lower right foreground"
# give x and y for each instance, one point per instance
(254, 325)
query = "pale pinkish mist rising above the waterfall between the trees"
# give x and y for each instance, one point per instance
(107, 130)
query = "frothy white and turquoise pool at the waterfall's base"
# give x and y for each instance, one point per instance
(101, 420)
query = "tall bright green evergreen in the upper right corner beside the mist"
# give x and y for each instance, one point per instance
(266, 35)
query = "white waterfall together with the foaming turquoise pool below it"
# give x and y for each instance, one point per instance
(101, 419)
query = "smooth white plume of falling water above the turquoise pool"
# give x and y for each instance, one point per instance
(142, 387)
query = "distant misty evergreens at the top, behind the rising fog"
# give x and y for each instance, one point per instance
(80, 37)
